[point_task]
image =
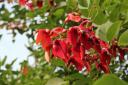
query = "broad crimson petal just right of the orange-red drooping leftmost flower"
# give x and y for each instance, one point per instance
(60, 50)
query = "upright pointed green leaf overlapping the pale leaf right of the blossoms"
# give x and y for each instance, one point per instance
(113, 30)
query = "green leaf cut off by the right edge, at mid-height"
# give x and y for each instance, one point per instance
(123, 39)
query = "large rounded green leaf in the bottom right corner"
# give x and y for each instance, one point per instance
(110, 79)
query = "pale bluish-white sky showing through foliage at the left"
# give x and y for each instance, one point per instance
(13, 50)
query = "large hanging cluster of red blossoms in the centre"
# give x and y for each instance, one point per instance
(78, 46)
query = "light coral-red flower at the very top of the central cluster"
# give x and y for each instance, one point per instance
(73, 17)
